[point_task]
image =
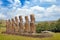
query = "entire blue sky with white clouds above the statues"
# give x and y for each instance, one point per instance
(44, 10)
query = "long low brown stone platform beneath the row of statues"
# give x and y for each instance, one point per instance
(35, 35)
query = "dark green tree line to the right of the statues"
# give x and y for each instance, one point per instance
(53, 26)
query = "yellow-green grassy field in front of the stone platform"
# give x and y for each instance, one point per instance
(56, 36)
